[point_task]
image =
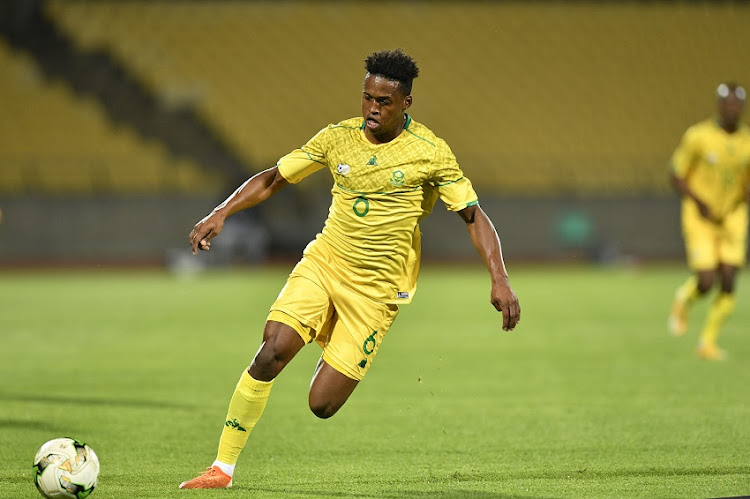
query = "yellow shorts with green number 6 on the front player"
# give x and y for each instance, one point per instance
(348, 326)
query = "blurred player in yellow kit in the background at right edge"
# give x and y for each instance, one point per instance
(710, 171)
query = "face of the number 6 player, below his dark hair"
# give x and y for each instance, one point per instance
(383, 107)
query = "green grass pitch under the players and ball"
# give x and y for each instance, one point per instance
(589, 397)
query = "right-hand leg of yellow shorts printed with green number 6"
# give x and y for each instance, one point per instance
(356, 333)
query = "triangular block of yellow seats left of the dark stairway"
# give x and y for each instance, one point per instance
(60, 142)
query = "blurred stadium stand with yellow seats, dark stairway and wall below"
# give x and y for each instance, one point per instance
(553, 108)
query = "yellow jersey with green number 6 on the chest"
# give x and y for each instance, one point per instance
(380, 194)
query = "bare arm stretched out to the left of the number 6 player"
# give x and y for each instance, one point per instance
(253, 192)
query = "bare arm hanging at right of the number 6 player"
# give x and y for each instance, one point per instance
(485, 239)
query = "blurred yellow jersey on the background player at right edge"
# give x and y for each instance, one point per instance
(716, 165)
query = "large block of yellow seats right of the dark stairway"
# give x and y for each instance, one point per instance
(533, 98)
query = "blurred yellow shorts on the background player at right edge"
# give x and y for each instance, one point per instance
(708, 244)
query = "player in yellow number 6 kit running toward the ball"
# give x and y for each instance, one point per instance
(388, 170)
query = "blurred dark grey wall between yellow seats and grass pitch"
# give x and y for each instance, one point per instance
(126, 230)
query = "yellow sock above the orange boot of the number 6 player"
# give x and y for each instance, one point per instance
(245, 408)
